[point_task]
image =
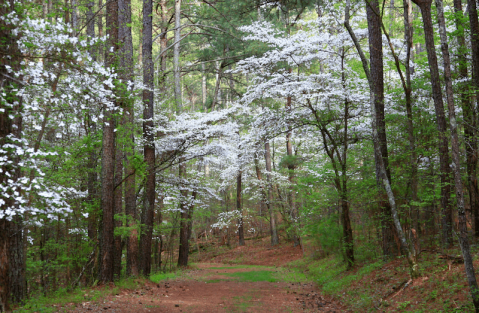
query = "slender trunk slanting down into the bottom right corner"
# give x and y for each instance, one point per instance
(456, 162)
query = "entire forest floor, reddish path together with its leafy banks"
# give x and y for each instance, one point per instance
(284, 278)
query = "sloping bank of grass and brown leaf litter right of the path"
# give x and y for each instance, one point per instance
(378, 286)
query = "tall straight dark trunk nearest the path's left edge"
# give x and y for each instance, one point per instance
(149, 148)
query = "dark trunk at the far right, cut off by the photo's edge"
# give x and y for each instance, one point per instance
(471, 142)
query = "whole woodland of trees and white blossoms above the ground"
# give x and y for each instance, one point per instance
(130, 130)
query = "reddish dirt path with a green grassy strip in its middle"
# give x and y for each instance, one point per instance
(218, 288)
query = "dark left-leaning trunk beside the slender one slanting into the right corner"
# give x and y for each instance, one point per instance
(425, 6)
